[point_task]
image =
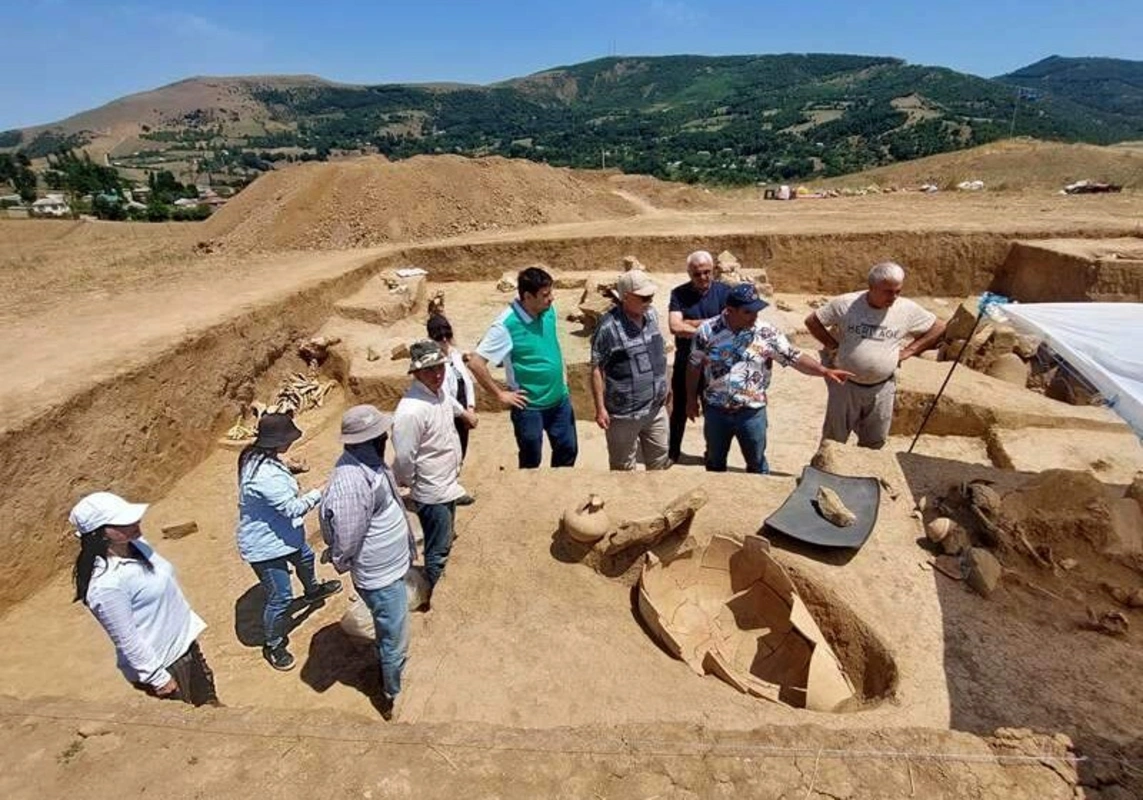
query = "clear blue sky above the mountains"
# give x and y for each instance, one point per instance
(59, 58)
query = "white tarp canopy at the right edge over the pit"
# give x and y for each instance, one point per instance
(1101, 341)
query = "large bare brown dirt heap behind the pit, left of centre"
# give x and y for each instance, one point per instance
(370, 202)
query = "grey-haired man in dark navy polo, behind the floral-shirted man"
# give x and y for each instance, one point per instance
(700, 299)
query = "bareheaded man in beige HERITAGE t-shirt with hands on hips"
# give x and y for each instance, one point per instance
(870, 333)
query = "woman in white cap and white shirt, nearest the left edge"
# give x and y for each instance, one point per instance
(133, 593)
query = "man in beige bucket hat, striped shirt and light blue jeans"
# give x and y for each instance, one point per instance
(364, 524)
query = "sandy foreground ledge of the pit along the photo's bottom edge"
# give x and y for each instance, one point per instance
(242, 753)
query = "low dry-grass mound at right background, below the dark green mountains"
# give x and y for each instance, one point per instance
(1012, 165)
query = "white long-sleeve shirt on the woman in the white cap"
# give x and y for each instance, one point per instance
(145, 613)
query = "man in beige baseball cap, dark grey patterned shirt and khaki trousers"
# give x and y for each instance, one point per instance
(629, 381)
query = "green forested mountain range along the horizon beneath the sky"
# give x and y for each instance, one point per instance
(728, 119)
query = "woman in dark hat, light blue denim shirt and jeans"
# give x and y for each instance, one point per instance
(271, 537)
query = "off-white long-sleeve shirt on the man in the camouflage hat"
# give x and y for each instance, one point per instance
(427, 449)
